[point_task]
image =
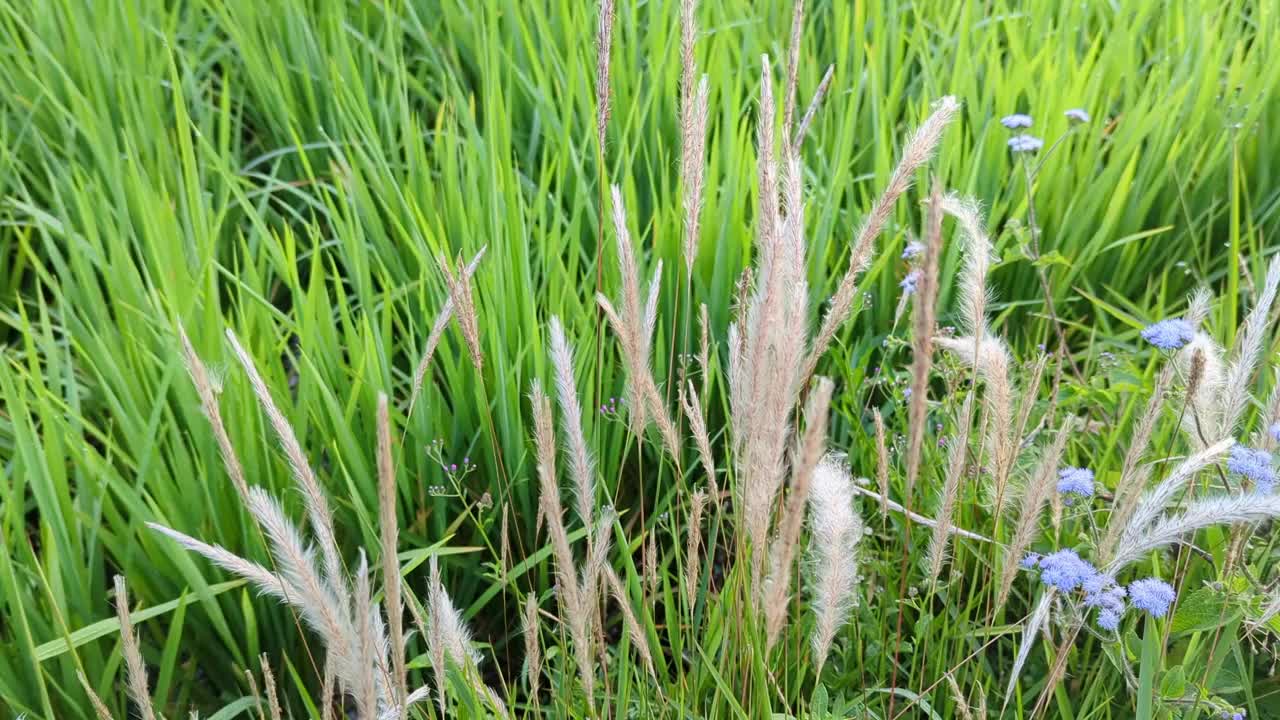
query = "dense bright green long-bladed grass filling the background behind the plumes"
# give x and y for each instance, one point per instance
(294, 170)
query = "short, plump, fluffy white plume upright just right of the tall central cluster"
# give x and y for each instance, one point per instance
(836, 531)
